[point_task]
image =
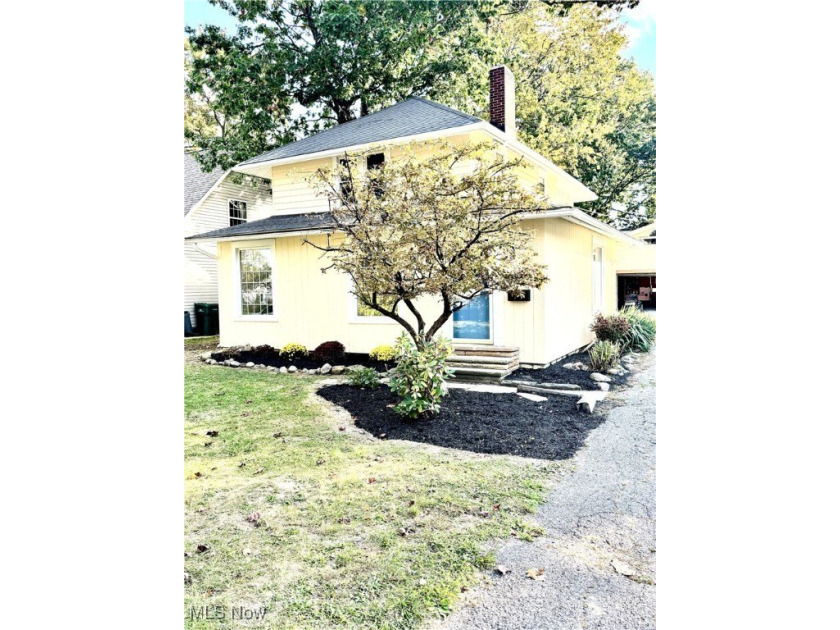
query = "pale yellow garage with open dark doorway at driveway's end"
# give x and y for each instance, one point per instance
(636, 268)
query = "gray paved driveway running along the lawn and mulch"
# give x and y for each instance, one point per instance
(599, 523)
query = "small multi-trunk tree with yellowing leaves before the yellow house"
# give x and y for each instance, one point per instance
(416, 227)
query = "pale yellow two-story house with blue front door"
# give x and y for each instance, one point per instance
(272, 290)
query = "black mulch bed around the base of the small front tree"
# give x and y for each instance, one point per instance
(504, 424)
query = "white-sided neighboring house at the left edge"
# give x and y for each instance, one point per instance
(211, 201)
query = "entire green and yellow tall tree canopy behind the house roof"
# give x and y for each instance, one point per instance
(296, 66)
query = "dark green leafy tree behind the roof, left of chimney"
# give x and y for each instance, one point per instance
(329, 58)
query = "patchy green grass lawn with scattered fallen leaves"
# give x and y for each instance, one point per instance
(352, 531)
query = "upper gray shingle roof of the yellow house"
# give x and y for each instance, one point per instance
(412, 116)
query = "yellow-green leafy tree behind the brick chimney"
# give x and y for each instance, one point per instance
(578, 101)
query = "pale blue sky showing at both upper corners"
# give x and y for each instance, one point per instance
(640, 27)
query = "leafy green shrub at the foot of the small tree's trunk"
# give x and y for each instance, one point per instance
(419, 376)
